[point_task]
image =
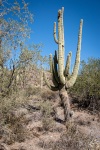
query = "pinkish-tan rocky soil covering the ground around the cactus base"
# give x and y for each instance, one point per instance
(37, 137)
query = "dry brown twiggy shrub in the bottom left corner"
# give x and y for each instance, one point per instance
(14, 129)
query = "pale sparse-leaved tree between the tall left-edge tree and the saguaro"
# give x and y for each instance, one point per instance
(30, 60)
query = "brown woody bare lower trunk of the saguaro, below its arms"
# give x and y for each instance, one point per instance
(65, 103)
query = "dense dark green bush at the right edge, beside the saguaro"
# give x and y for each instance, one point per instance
(86, 90)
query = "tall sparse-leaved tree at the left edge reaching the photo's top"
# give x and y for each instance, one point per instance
(14, 29)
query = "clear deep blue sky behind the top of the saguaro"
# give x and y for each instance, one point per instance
(45, 14)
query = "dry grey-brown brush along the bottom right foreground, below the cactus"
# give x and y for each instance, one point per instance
(72, 139)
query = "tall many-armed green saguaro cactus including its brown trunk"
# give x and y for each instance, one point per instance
(61, 77)
